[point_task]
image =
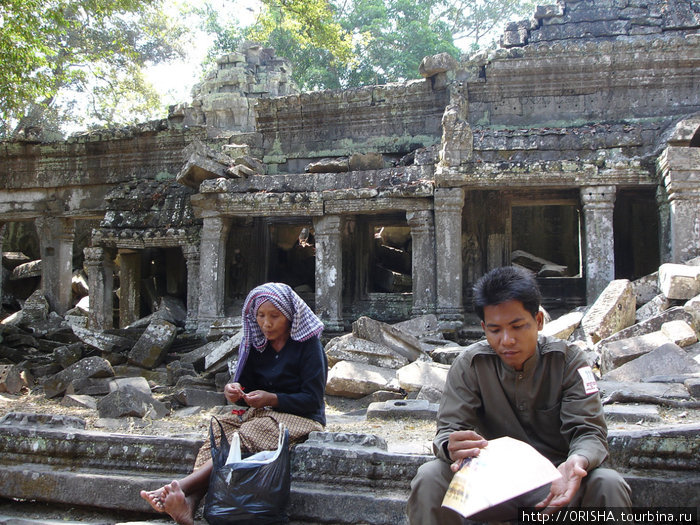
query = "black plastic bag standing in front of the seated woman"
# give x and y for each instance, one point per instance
(252, 491)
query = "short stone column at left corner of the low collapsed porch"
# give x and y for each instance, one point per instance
(100, 270)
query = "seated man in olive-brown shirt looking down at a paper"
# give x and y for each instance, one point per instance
(533, 388)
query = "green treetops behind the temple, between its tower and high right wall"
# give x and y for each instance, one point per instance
(347, 43)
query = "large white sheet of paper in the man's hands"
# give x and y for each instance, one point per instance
(506, 468)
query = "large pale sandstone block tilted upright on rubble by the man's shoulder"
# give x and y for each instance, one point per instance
(613, 310)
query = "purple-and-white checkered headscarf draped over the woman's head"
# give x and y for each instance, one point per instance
(305, 324)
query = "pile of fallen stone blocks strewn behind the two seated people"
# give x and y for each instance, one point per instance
(641, 337)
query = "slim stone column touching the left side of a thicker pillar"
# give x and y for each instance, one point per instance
(422, 226)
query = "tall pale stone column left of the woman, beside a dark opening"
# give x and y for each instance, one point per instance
(212, 270)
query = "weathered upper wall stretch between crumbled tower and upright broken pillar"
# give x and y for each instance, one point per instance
(392, 119)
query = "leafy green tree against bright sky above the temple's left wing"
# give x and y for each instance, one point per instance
(54, 51)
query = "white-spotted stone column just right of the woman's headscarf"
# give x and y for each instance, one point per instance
(329, 271)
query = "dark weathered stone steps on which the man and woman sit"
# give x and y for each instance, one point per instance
(337, 478)
